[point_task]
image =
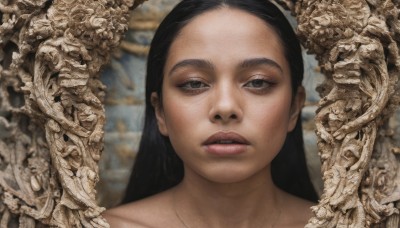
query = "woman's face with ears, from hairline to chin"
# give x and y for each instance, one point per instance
(226, 100)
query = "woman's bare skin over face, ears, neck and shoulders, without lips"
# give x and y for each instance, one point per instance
(221, 95)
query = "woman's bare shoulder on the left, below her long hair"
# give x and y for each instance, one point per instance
(151, 212)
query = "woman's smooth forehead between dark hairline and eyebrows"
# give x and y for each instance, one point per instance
(226, 34)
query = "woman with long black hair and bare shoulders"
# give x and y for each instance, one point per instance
(223, 99)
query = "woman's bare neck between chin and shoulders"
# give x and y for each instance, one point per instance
(249, 203)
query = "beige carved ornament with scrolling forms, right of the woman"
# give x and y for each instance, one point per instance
(357, 45)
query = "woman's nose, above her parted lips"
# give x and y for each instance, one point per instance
(226, 105)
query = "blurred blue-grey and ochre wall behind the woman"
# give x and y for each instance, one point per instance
(125, 81)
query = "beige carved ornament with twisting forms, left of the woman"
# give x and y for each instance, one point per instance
(51, 108)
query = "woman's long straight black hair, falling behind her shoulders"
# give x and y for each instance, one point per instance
(157, 167)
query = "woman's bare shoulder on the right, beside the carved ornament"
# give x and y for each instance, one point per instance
(296, 211)
